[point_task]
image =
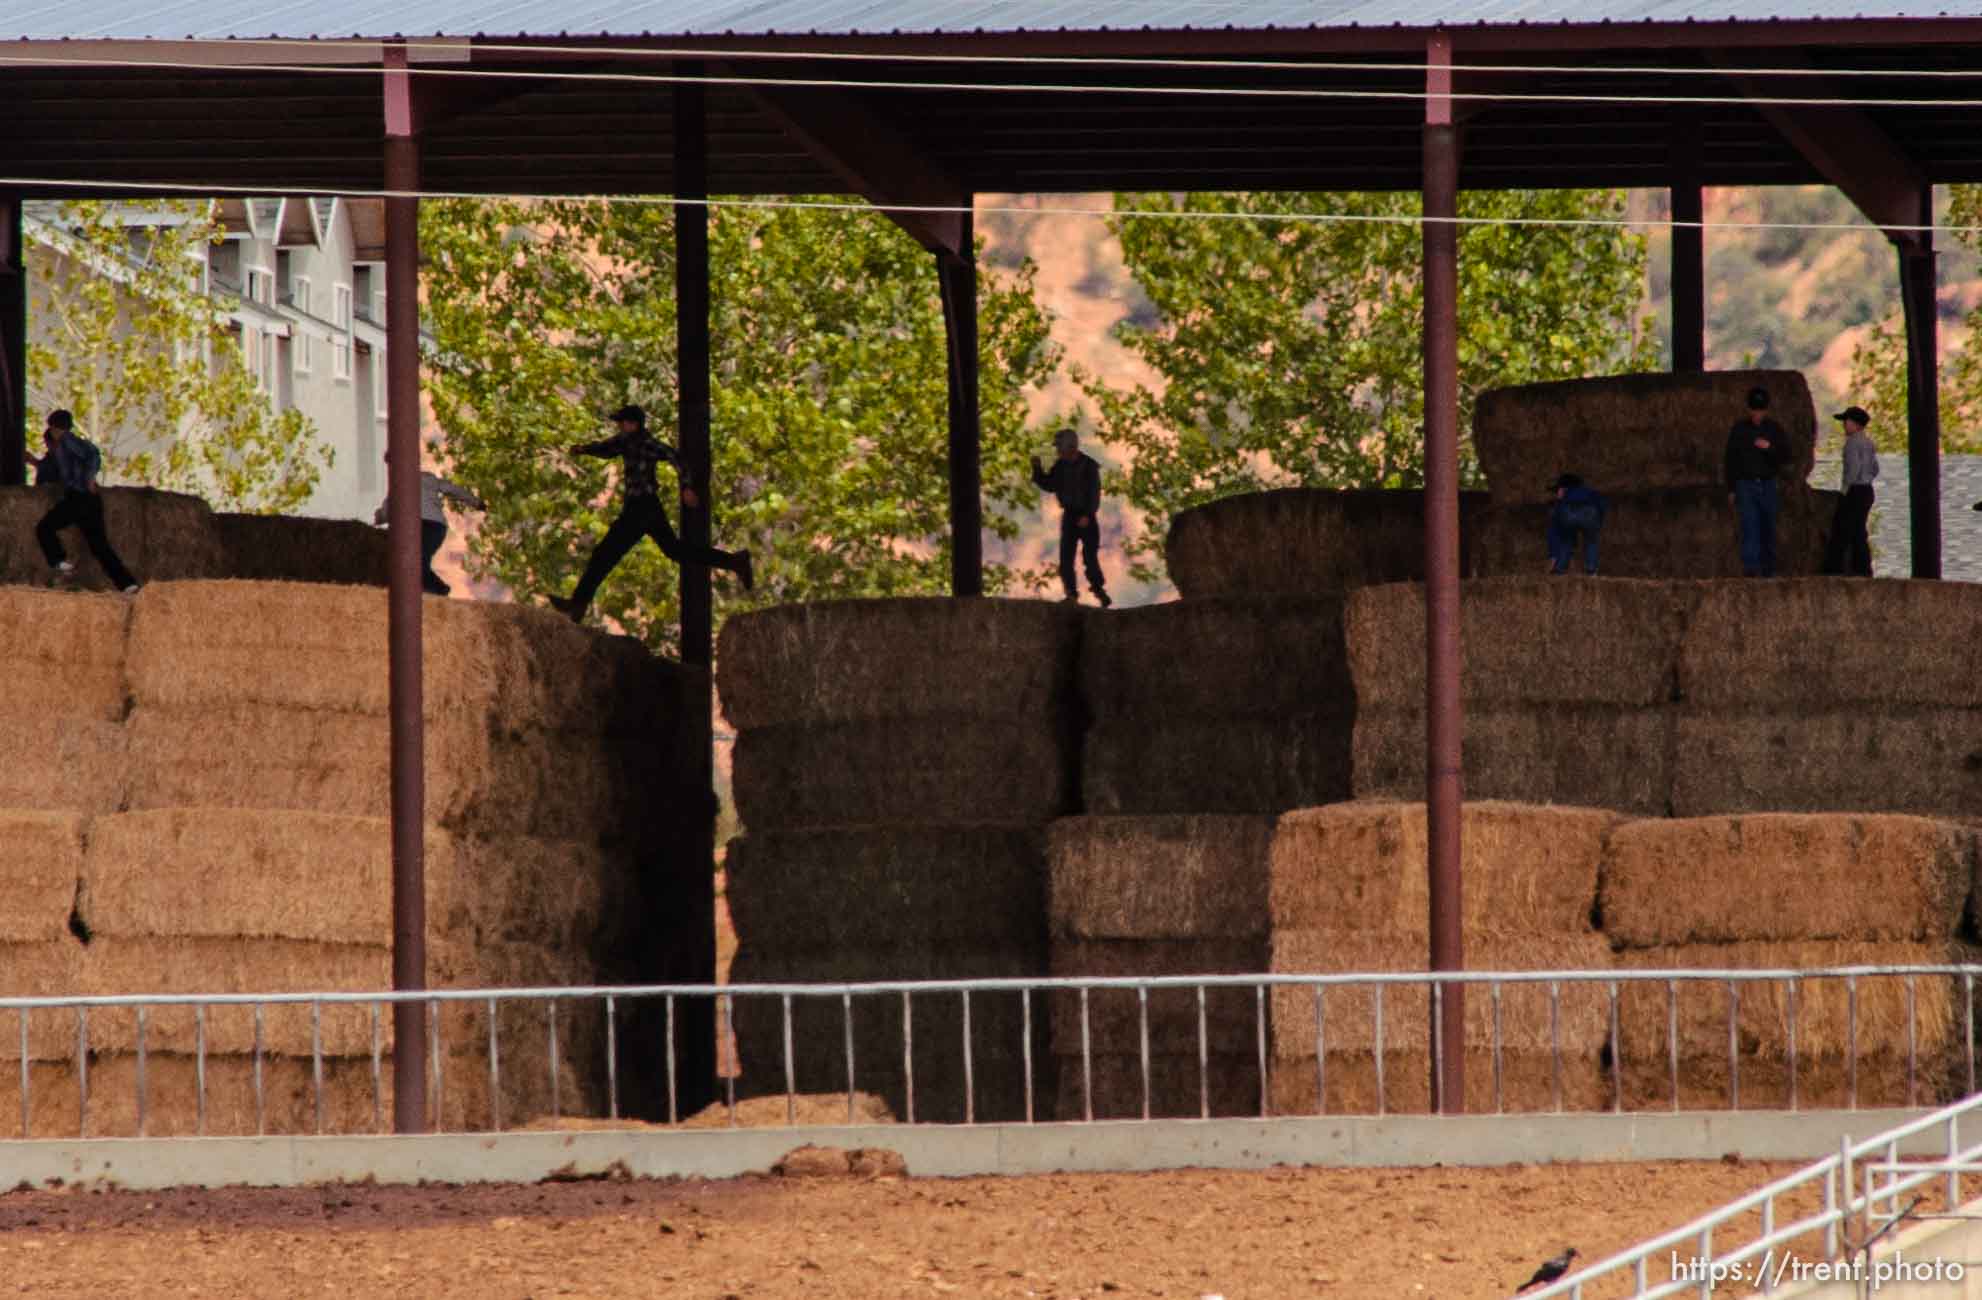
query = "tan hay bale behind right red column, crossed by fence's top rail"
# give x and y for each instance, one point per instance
(1583, 1028)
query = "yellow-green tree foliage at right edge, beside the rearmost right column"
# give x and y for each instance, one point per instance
(1880, 362)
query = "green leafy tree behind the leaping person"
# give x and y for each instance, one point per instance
(829, 395)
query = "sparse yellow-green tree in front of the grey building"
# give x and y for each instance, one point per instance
(126, 340)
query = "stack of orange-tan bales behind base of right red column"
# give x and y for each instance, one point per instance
(1351, 895)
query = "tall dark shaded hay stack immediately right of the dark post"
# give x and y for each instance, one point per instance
(897, 764)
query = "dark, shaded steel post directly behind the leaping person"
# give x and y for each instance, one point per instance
(693, 958)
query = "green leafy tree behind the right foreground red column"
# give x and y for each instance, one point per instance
(1291, 350)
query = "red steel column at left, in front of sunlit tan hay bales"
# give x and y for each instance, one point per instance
(403, 592)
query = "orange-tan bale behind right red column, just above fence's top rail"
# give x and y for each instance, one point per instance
(1529, 871)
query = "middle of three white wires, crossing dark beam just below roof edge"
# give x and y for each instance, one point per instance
(998, 88)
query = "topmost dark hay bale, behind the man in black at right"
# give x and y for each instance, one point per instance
(1630, 431)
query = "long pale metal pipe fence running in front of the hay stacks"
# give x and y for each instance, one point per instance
(576, 1041)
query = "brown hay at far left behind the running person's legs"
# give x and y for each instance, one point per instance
(160, 536)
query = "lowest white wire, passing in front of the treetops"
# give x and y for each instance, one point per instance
(857, 205)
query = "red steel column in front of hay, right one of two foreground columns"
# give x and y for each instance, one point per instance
(1442, 570)
